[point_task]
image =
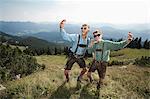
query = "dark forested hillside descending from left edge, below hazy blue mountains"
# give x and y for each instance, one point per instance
(29, 41)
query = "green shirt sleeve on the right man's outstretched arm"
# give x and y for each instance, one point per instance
(115, 45)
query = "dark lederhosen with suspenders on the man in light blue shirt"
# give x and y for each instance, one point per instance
(73, 57)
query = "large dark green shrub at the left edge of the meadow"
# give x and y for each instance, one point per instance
(14, 62)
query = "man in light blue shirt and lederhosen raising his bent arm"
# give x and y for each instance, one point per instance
(80, 43)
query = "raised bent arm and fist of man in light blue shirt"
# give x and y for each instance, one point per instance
(66, 36)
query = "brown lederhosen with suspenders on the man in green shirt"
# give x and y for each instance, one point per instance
(100, 66)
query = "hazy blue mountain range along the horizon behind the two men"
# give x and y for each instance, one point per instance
(50, 31)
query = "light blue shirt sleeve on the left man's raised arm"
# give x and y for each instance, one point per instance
(67, 36)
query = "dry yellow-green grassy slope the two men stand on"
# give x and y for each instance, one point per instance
(129, 82)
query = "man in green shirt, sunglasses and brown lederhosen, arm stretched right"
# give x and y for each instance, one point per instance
(101, 54)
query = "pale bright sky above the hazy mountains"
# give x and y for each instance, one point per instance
(76, 11)
